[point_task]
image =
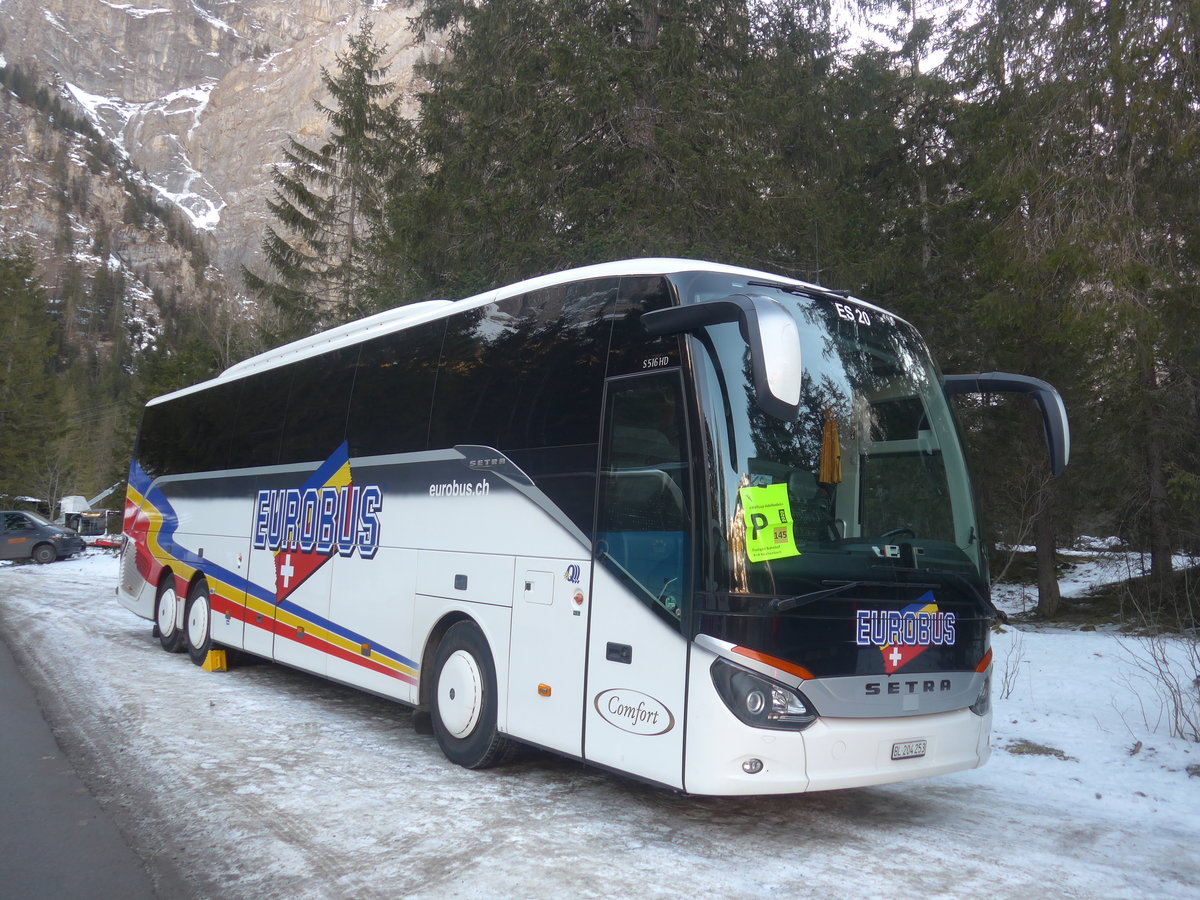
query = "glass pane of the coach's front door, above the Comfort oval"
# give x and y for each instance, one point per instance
(644, 518)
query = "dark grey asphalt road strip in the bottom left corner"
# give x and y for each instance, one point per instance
(56, 839)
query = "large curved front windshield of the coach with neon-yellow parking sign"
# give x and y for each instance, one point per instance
(868, 484)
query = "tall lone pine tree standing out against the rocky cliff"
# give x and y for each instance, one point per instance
(327, 200)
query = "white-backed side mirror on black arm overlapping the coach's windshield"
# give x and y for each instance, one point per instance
(769, 331)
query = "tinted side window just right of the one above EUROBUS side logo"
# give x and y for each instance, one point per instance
(394, 392)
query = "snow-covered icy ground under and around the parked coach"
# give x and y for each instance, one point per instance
(266, 783)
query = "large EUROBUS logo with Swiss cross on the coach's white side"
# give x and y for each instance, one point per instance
(305, 526)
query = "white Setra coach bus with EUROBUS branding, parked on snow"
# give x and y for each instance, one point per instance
(709, 527)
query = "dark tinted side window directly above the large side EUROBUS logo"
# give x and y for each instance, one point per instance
(319, 401)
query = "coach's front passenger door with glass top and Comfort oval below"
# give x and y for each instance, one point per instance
(637, 651)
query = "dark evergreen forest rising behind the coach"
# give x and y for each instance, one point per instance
(1017, 178)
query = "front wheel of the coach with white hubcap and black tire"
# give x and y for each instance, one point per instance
(465, 700)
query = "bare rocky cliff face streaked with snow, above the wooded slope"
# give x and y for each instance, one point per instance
(201, 95)
